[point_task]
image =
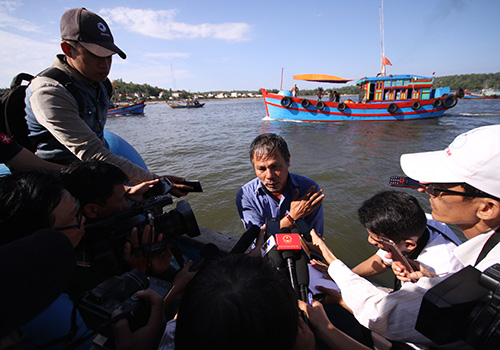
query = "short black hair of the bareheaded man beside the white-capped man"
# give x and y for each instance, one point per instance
(393, 214)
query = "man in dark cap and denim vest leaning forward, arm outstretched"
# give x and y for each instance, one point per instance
(62, 132)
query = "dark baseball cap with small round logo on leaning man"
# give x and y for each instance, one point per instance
(90, 30)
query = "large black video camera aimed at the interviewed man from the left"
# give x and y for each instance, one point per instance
(104, 240)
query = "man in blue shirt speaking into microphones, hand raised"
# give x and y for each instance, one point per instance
(276, 192)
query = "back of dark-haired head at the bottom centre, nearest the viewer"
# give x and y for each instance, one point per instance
(237, 302)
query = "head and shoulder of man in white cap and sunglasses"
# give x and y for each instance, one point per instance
(463, 182)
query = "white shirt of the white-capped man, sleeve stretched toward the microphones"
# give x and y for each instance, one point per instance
(394, 315)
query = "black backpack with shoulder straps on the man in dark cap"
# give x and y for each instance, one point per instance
(12, 106)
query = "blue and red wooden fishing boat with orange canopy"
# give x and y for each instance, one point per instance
(382, 98)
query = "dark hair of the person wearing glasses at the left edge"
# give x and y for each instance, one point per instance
(27, 199)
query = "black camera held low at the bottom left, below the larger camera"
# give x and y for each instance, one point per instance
(118, 292)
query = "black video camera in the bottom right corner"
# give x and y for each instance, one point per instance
(465, 306)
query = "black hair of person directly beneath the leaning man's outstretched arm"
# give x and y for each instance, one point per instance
(92, 181)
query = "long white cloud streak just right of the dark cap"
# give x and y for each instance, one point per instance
(161, 24)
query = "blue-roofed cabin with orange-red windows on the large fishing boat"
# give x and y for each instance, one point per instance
(395, 88)
